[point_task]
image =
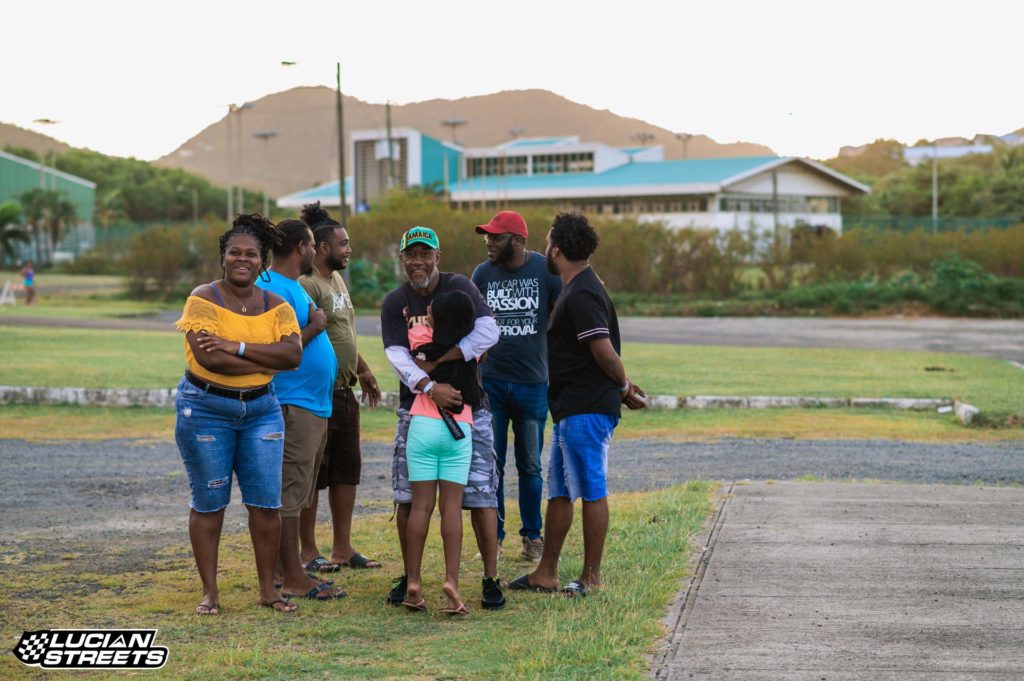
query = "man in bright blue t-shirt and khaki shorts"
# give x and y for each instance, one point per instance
(305, 395)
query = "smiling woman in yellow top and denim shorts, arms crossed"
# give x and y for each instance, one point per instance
(229, 420)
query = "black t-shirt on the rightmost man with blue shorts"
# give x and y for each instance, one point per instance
(583, 313)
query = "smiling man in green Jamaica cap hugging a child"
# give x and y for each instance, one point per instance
(403, 313)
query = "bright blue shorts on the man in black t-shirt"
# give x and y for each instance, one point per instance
(579, 464)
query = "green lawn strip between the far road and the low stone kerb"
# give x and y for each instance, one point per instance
(149, 360)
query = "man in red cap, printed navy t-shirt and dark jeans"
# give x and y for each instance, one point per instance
(521, 292)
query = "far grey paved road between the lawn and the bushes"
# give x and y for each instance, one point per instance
(992, 338)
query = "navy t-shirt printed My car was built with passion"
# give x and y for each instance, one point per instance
(522, 301)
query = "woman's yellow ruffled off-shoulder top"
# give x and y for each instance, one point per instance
(268, 328)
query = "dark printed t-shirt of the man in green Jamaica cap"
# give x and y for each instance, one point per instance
(404, 310)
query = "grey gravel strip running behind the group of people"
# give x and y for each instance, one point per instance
(132, 500)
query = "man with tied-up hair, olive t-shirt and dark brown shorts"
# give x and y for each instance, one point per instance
(343, 459)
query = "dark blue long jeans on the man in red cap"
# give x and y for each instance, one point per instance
(526, 405)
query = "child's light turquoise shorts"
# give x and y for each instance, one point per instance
(433, 453)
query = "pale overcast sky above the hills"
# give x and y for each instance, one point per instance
(804, 78)
